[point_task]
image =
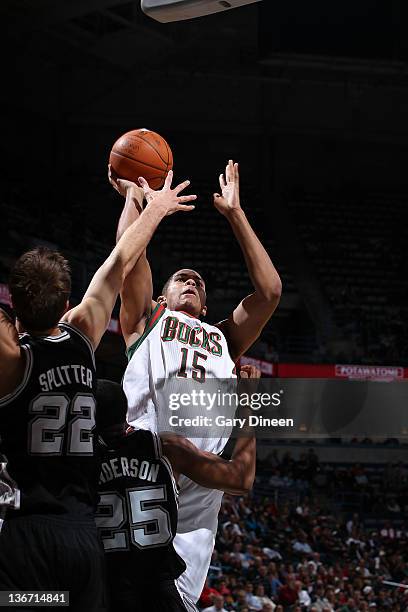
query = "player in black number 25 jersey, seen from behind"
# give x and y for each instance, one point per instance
(137, 512)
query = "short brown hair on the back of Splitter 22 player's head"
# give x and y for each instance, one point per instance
(40, 285)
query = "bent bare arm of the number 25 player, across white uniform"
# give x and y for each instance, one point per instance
(208, 470)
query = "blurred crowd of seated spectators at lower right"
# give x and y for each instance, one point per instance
(281, 553)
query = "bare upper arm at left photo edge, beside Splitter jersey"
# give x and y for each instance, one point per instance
(12, 362)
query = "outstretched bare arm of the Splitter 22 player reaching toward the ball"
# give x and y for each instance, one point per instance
(93, 314)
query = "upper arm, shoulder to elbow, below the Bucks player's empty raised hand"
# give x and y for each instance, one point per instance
(245, 324)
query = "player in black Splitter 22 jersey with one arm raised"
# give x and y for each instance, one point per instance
(49, 539)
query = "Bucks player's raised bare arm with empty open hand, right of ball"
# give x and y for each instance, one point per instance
(246, 322)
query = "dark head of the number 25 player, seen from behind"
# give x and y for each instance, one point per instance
(111, 404)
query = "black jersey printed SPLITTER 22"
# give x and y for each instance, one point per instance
(47, 426)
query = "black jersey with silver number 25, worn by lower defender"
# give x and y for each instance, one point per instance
(137, 513)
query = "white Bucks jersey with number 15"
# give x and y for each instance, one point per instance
(175, 349)
